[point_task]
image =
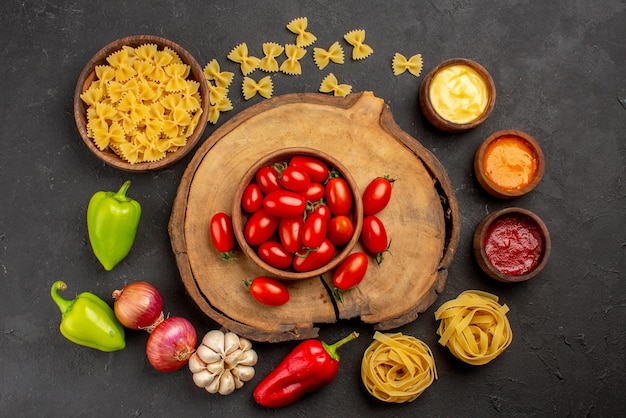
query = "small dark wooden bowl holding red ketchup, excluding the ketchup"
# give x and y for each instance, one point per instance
(515, 213)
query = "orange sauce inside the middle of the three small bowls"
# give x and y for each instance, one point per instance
(510, 162)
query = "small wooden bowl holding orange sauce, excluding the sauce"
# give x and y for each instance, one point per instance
(523, 187)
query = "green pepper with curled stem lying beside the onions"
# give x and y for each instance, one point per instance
(88, 320)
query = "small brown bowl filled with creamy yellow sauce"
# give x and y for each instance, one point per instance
(452, 121)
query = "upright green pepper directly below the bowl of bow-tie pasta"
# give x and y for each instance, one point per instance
(112, 221)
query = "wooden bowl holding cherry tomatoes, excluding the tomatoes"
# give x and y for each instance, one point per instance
(239, 217)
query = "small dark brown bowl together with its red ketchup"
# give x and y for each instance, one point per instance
(512, 245)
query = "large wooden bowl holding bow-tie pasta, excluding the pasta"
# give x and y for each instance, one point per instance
(88, 75)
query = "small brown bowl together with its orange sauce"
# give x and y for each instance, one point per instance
(509, 164)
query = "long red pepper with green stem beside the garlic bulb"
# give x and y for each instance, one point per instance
(310, 366)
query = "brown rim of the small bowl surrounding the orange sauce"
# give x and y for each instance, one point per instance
(494, 189)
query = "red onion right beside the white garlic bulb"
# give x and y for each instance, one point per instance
(171, 344)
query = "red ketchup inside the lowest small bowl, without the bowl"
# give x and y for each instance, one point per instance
(514, 244)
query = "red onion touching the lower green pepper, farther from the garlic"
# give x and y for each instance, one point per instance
(138, 306)
